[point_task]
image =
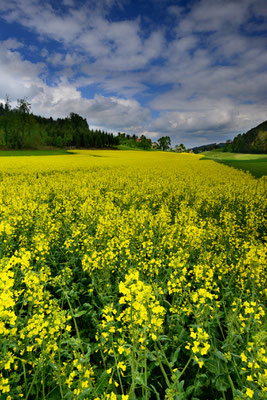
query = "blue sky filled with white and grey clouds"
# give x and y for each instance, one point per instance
(193, 70)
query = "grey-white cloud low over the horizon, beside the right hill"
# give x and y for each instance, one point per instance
(208, 123)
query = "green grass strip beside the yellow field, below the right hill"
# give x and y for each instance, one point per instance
(256, 164)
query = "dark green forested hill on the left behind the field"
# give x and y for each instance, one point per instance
(19, 129)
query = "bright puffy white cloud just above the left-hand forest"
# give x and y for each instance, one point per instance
(20, 78)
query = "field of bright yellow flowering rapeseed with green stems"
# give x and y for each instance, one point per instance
(131, 275)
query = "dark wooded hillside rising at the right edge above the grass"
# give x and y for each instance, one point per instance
(253, 141)
